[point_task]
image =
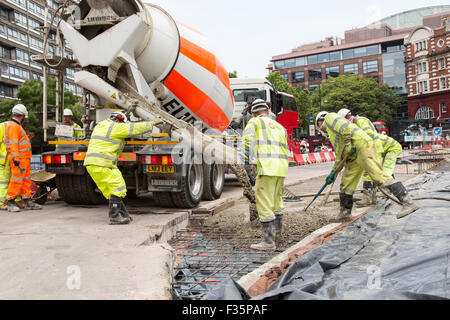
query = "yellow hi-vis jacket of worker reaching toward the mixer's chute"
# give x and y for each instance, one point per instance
(107, 141)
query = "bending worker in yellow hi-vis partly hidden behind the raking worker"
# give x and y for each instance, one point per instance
(388, 151)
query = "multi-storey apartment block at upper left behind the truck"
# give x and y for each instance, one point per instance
(19, 40)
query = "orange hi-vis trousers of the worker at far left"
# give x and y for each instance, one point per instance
(20, 183)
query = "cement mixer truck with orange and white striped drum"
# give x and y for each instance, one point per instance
(135, 57)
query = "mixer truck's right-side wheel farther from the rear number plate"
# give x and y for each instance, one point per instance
(213, 181)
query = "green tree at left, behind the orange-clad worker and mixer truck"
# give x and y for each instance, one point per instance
(30, 94)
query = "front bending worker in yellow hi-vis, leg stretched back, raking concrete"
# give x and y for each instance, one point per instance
(359, 152)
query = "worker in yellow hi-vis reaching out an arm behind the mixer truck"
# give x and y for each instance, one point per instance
(105, 147)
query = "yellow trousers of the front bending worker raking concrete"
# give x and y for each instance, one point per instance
(365, 159)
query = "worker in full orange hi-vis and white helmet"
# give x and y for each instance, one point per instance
(18, 146)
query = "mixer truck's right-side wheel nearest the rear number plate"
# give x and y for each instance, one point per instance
(192, 186)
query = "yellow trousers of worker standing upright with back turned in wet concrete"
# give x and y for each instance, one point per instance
(269, 197)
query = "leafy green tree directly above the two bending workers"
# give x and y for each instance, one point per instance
(363, 96)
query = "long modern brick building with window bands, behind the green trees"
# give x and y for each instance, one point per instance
(375, 51)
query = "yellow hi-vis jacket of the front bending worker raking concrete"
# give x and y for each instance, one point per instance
(341, 131)
